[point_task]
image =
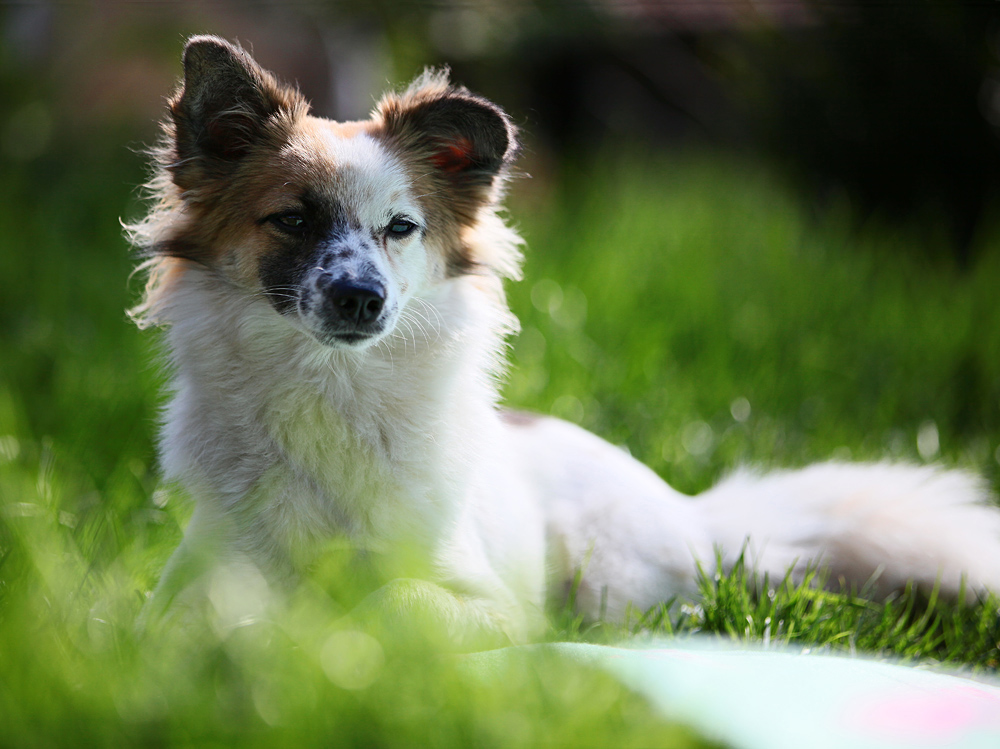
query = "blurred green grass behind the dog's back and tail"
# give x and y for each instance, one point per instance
(690, 309)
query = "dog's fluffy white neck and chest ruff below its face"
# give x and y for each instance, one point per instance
(374, 438)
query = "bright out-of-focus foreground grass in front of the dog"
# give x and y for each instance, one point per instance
(75, 671)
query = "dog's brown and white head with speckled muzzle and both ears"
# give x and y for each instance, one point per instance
(338, 225)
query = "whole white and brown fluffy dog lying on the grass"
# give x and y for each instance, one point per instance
(335, 321)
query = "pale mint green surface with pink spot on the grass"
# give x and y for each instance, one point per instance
(771, 700)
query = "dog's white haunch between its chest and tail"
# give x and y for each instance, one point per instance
(615, 530)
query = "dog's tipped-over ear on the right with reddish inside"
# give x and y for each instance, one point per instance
(467, 142)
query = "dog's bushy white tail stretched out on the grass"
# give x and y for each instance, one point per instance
(879, 525)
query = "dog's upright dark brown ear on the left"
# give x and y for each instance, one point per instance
(226, 106)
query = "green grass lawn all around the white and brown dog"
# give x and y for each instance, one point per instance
(690, 309)
